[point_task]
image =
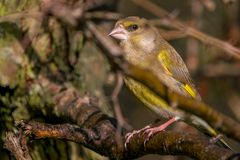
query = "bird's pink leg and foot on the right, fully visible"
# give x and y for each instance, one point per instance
(151, 131)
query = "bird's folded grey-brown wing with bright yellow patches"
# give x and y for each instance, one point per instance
(175, 67)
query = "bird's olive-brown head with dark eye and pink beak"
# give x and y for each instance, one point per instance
(129, 27)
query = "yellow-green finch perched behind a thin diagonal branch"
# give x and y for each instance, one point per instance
(144, 47)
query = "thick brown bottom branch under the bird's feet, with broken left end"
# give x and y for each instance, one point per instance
(163, 143)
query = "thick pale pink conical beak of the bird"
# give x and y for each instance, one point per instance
(119, 32)
